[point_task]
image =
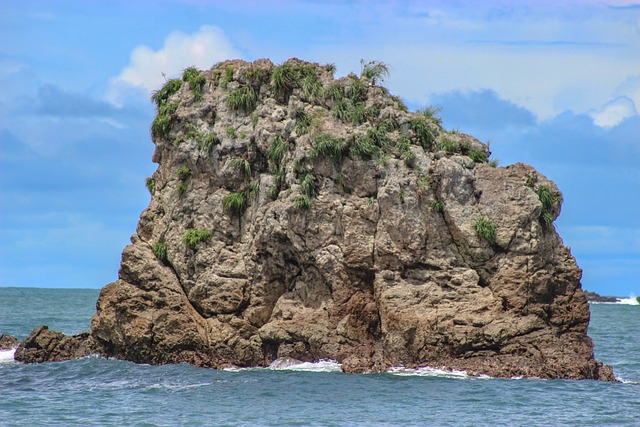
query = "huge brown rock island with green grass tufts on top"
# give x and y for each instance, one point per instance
(297, 215)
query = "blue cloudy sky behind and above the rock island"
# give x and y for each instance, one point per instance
(553, 84)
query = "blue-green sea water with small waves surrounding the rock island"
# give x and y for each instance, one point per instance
(95, 391)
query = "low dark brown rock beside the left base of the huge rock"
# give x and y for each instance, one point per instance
(44, 345)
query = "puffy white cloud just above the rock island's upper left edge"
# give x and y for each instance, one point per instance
(148, 69)
